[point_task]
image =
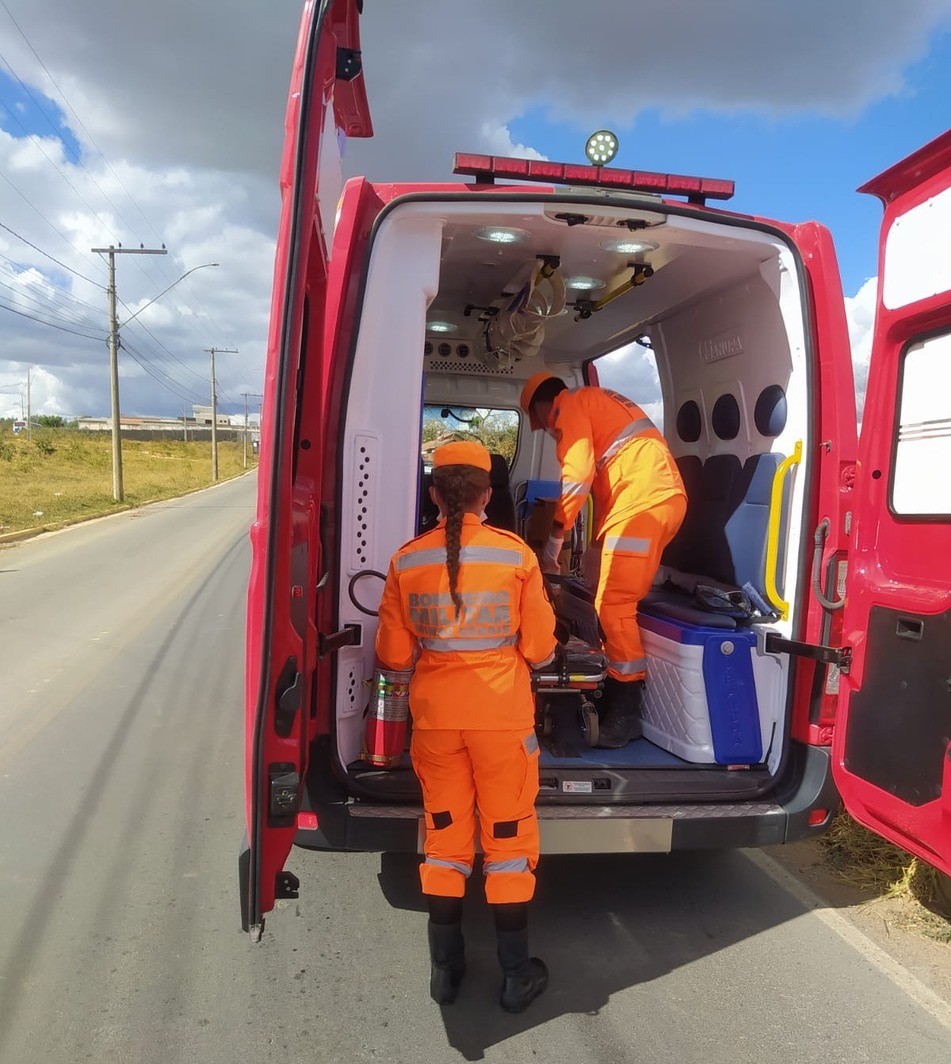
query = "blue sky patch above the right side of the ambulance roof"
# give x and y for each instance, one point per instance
(789, 169)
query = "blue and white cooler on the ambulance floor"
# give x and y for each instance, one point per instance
(702, 702)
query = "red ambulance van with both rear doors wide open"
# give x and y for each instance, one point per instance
(398, 308)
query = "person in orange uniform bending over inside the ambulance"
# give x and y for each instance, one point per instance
(607, 445)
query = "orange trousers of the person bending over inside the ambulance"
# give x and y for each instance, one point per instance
(630, 558)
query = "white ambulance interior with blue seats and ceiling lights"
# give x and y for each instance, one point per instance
(699, 322)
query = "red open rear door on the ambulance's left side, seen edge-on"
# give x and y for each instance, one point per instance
(327, 103)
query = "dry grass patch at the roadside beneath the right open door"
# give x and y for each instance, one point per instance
(861, 858)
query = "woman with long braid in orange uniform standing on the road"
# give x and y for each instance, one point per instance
(464, 607)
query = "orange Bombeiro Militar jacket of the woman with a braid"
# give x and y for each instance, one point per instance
(472, 674)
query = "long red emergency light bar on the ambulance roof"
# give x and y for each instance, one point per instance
(487, 169)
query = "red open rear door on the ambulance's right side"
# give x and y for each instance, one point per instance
(893, 741)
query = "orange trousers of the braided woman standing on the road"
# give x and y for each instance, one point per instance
(496, 772)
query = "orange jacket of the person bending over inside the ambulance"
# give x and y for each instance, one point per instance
(608, 444)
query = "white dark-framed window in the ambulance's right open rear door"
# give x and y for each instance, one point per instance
(923, 444)
